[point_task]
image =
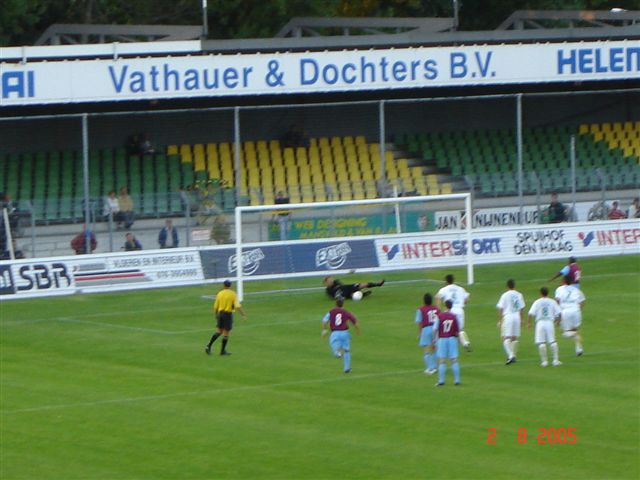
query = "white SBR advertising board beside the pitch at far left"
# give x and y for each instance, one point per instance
(100, 273)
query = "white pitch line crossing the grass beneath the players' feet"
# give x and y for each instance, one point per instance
(337, 378)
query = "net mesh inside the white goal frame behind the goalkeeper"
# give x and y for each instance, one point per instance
(297, 240)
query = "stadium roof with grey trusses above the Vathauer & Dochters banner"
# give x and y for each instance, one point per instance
(306, 33)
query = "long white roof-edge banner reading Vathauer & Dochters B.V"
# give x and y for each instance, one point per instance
(310, 72)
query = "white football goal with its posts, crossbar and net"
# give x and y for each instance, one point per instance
(395, 219)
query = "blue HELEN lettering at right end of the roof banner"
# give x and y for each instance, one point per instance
(598, 60)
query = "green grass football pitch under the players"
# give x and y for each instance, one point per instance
(117, 386)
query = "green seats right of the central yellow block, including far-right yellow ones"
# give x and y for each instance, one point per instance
(607, 152)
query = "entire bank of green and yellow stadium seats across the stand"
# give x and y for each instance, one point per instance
(329, 168)
